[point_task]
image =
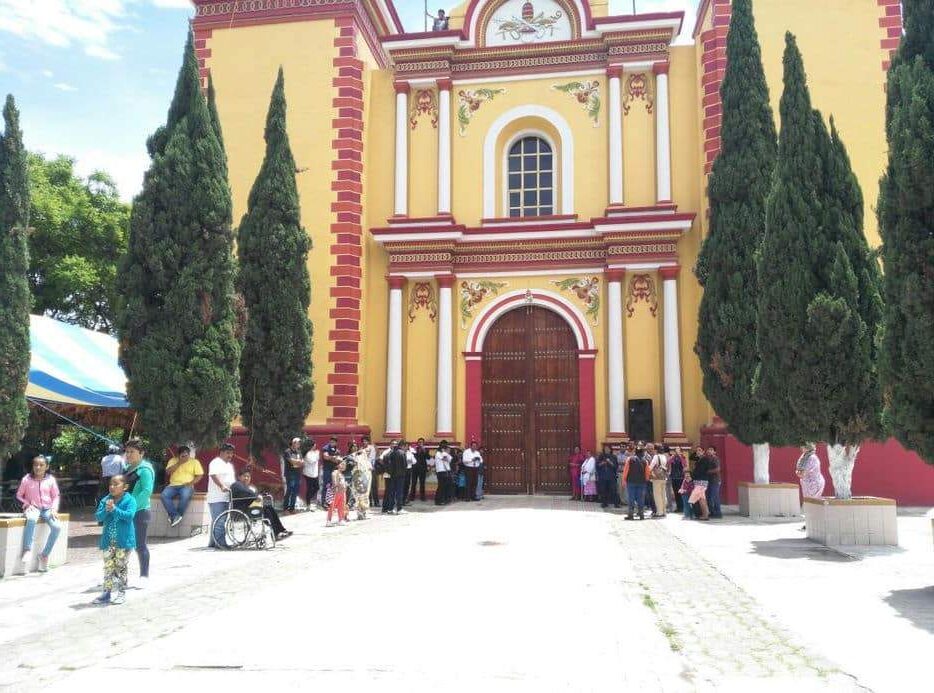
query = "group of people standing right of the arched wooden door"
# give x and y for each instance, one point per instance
(659, 478)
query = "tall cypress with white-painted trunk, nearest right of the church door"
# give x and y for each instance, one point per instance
(738, 186)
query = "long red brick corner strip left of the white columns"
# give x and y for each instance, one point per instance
(346, 229)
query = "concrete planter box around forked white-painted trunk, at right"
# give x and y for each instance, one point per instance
(861, 521)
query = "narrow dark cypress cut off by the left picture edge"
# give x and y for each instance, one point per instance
(15, 299)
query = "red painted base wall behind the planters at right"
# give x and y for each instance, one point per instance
(882, 469)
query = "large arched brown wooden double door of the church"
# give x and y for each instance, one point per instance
(530, 408)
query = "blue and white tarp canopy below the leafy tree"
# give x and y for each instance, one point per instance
(72, 365)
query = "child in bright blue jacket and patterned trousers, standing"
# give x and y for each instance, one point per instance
(116, 511)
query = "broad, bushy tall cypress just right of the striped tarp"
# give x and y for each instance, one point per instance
(176, 323)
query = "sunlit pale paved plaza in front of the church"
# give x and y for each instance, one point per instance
(511, 594)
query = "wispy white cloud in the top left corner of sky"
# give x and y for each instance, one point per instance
(65, 23)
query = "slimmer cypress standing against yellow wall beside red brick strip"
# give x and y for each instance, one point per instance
(275, 371)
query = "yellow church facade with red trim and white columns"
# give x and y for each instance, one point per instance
(505, 214)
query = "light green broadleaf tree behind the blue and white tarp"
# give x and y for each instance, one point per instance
(79, 233)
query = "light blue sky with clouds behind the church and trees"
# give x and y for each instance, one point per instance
(93, 78)
